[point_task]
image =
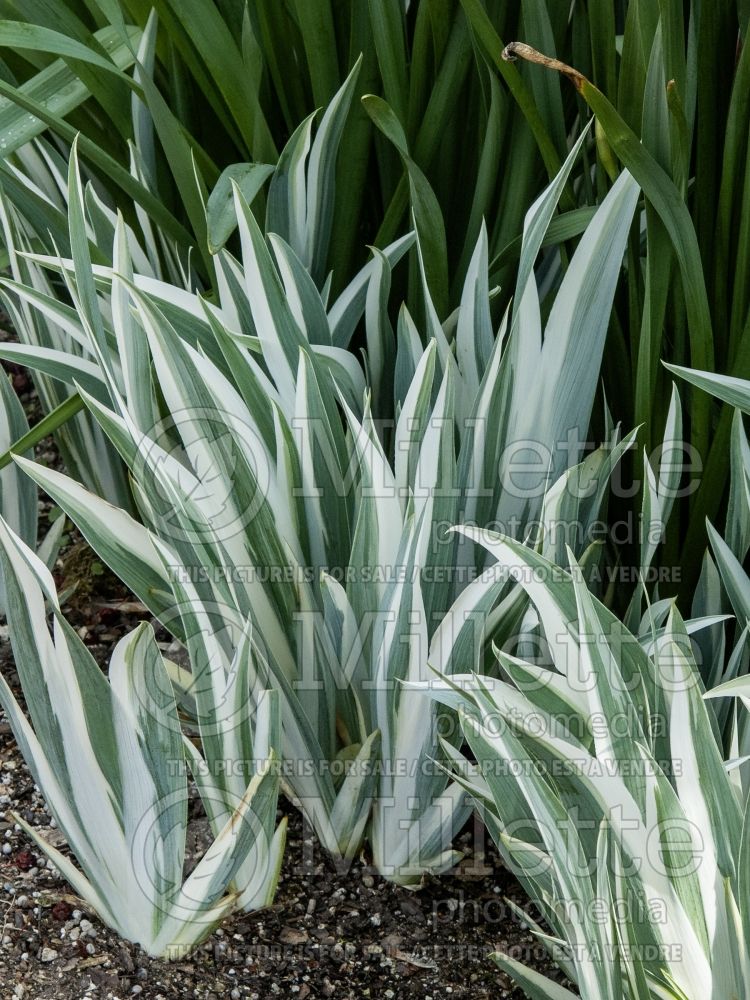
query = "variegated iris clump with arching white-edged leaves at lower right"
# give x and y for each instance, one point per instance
(599, 770)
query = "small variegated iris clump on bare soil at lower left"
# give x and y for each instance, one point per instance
(112, 761)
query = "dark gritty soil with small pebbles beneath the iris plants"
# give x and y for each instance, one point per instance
(332, 931)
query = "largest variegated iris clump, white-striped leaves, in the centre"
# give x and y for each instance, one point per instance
(272, 496)
